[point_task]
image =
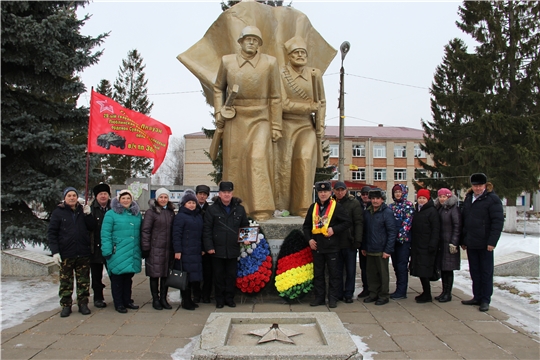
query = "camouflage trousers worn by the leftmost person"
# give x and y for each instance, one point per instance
(81, 268)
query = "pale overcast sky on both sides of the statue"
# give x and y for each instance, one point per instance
(391, 42)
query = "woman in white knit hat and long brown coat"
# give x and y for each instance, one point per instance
(156, 245)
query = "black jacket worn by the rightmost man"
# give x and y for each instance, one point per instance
(483, 220)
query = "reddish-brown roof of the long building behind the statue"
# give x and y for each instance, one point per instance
(377, 132)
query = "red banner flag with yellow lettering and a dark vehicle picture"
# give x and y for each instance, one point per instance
(113, 129)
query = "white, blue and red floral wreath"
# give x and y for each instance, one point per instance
(254, 265)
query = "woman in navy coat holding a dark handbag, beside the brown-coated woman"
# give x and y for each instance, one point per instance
(187, 243)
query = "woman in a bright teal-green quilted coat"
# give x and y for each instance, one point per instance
(120, 245)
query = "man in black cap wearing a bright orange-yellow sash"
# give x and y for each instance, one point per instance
(325, 223)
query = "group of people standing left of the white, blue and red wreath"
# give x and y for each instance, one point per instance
(112, 234)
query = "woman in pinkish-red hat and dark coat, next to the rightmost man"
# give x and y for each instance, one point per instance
(448, 257)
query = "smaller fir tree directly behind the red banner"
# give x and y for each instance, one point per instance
(130, 91)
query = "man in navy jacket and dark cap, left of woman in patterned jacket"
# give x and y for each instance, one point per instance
(380, 232)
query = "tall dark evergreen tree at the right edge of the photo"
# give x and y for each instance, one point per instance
(497, 119)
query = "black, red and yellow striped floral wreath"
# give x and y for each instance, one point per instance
(294, 271)
